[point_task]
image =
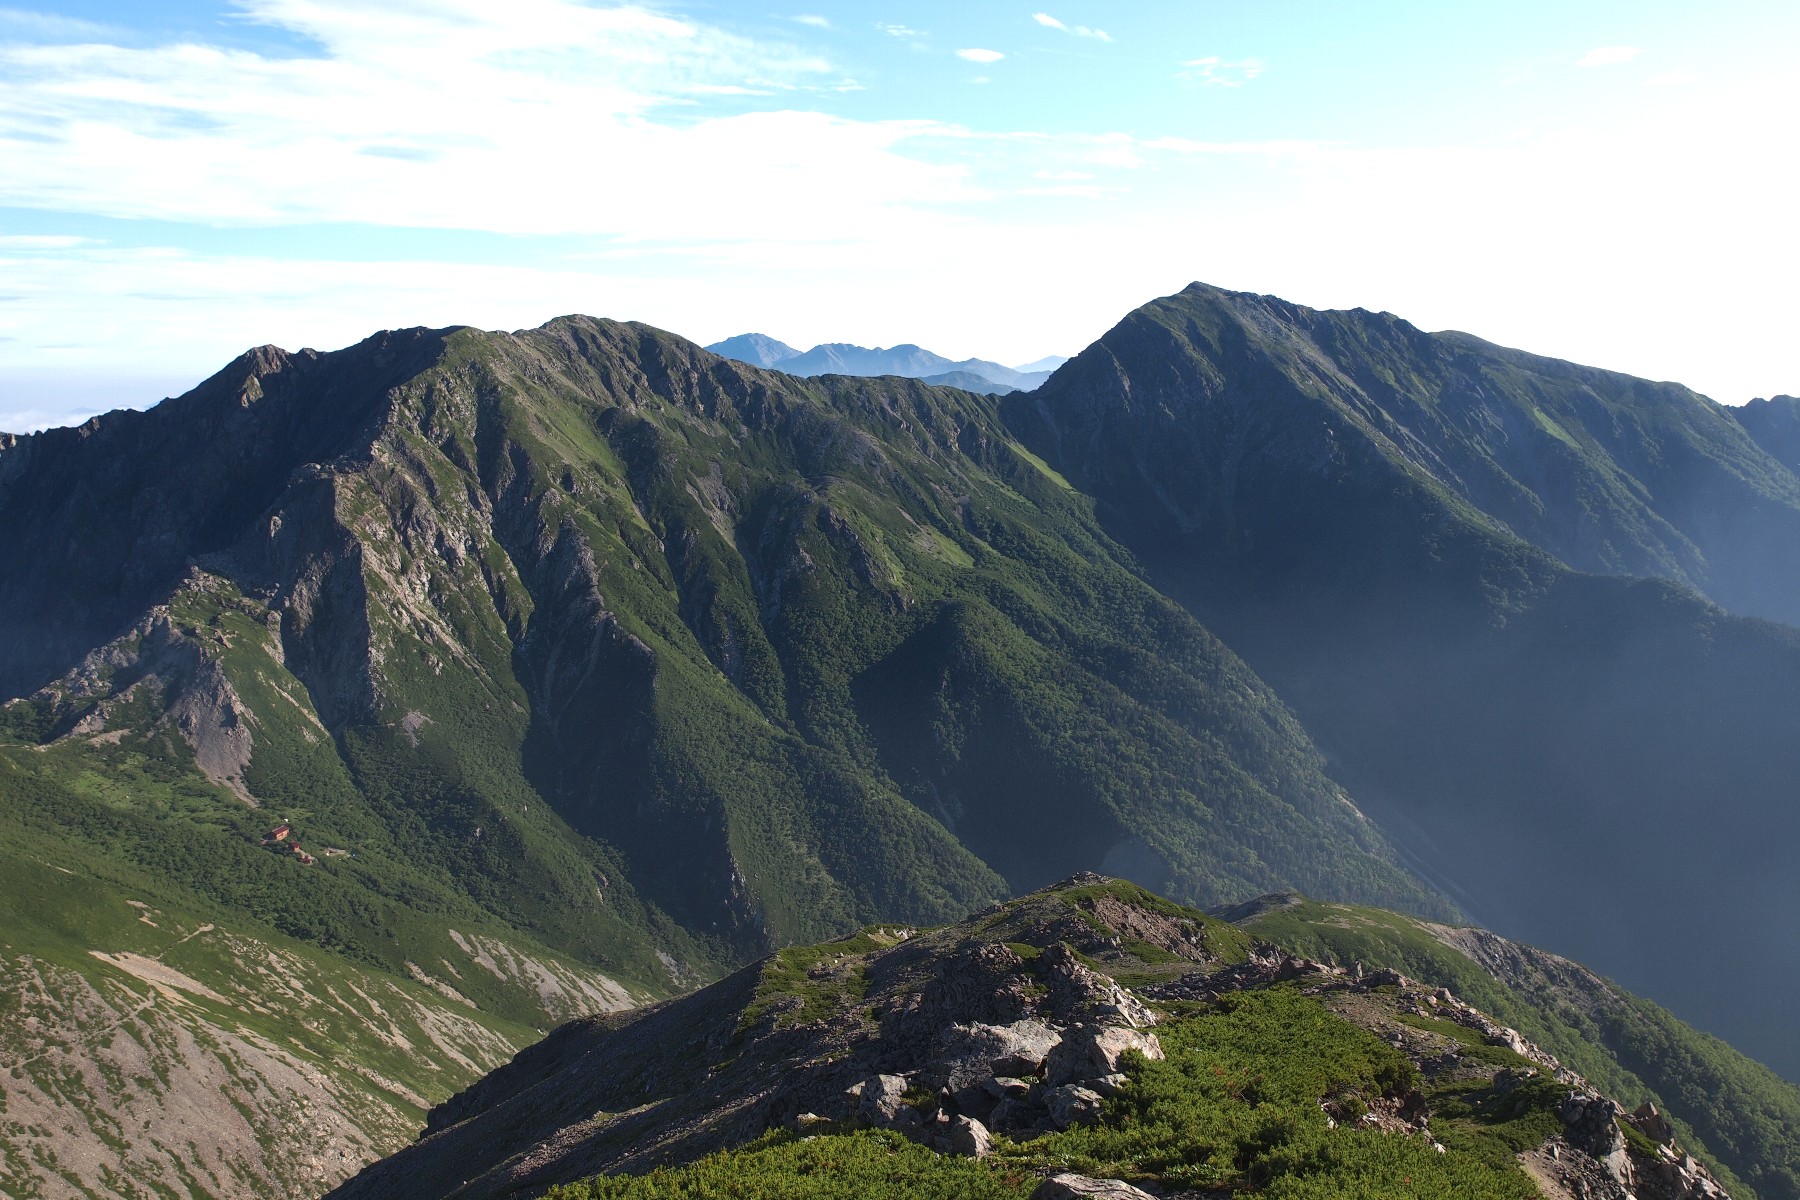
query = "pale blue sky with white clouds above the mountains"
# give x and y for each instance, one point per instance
(184, 179)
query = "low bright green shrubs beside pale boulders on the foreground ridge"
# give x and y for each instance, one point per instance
(1236, 1106)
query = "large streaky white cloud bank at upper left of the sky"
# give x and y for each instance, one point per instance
(530, 118)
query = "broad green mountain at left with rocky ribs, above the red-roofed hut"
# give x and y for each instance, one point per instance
(584, 663)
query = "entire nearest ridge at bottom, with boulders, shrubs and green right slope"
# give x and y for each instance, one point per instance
(955, 1062)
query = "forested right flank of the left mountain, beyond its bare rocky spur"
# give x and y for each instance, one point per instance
(850, 605)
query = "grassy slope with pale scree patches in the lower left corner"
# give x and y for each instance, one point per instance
(206, 1048)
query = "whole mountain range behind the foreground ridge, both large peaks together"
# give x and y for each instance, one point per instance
(627, 663)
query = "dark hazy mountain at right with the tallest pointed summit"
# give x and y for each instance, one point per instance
(1588, 762)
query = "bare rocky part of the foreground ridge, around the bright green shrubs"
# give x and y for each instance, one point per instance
(994, 1037)
